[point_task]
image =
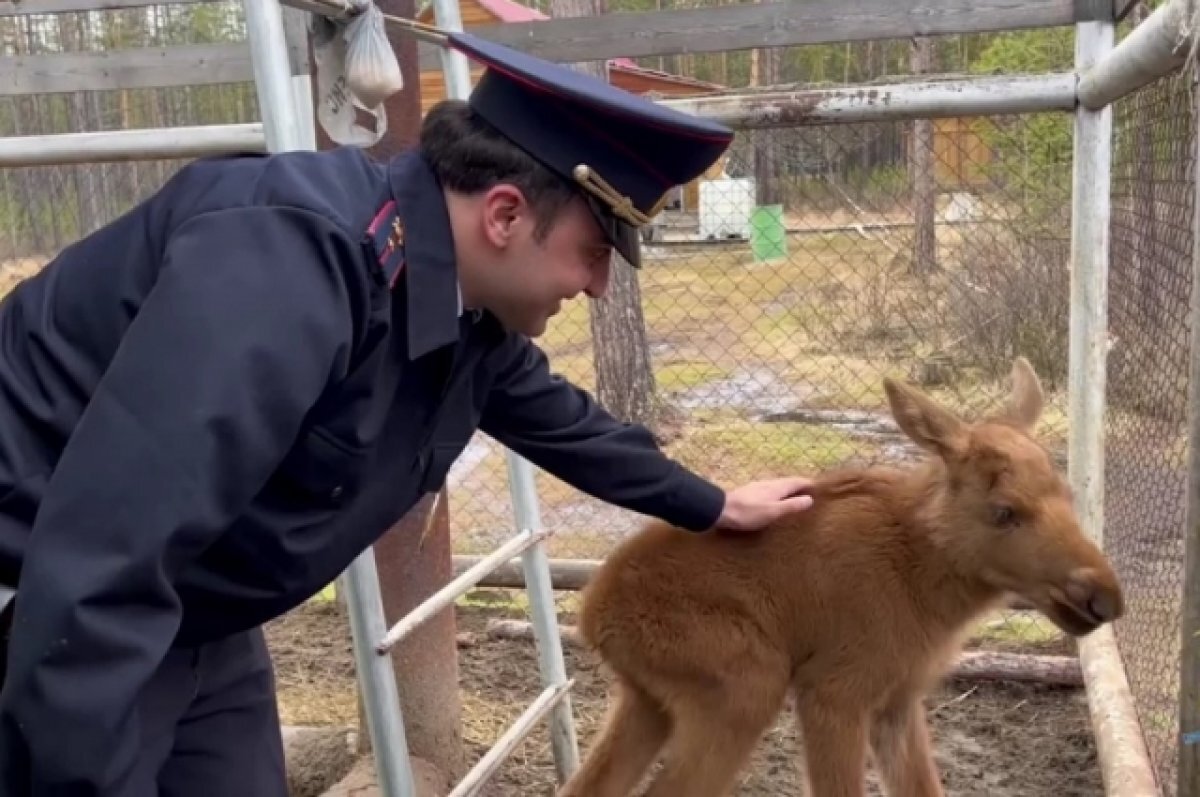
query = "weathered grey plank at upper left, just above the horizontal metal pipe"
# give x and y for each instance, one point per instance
(133, 69)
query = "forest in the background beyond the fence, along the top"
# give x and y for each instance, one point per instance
(45, 208)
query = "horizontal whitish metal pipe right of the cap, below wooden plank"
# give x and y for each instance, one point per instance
(887, 103)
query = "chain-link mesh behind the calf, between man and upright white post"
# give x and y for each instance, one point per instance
(776, 298)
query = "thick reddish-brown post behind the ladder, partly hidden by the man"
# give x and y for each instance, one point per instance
(413, 558)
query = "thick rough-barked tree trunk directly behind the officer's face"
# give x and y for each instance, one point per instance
(626, 385)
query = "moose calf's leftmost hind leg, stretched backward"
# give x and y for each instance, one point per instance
(632, 738)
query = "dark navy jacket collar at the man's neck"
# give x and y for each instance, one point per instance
(431, 274)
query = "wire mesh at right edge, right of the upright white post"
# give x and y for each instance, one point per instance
(1147, 423)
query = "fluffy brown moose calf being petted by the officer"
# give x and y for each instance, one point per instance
(857, 607)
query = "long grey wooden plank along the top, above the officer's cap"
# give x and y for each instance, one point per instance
(764, 25)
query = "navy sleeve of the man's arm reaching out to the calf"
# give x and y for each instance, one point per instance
(561, 429)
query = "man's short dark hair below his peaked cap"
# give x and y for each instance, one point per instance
(469, 155)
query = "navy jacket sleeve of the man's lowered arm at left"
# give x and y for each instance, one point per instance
(247, 326)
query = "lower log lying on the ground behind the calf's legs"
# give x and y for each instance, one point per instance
(973, 666)
